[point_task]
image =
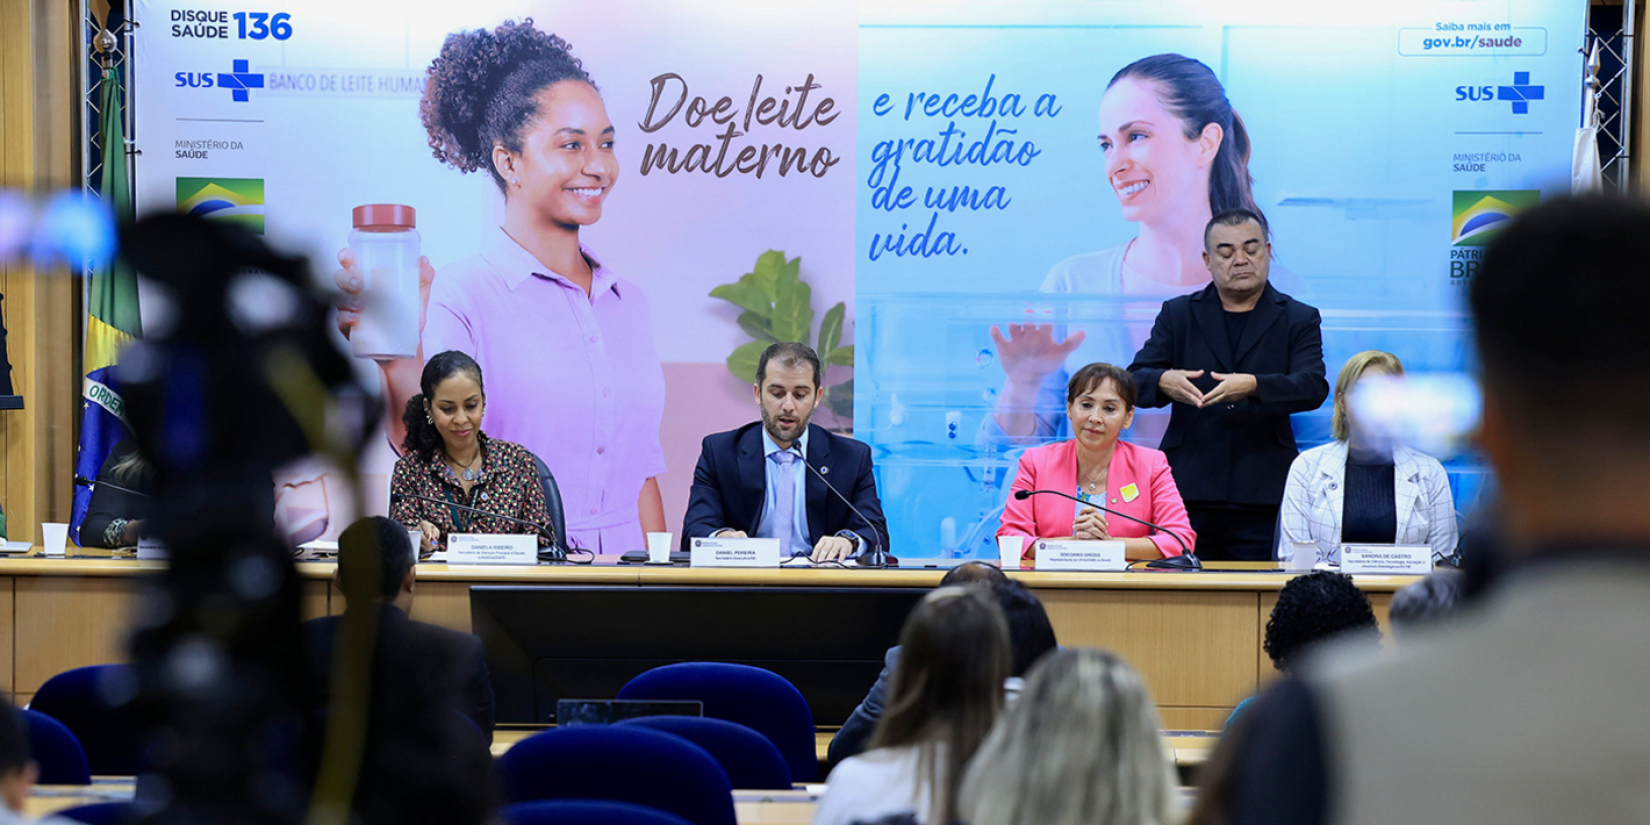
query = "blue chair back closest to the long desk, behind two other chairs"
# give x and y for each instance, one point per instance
(740, 694)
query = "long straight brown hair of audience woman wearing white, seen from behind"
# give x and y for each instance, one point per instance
(948, 689)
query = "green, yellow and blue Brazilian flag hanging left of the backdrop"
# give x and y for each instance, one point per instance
(113, 318)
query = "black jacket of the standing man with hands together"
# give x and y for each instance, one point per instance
(1238, 451)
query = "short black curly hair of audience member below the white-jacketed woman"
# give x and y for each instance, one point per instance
(1313, 610)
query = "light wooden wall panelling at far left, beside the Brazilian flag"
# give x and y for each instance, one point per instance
(39, 153)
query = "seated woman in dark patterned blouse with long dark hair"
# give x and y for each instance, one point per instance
(448, 458)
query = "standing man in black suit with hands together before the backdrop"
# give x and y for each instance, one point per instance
(1237, 361)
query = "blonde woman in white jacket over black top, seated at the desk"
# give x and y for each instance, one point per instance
(1346, 493)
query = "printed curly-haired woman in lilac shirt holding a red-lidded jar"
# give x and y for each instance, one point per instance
(567, 344)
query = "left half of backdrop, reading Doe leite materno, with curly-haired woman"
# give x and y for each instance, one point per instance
(555, 189)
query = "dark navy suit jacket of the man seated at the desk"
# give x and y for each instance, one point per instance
(730, 488)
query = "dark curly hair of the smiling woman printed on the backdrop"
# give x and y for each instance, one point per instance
(483, 88)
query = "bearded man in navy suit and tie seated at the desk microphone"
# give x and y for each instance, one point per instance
(752, 483)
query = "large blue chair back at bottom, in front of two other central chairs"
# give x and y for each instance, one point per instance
(620, 765)
